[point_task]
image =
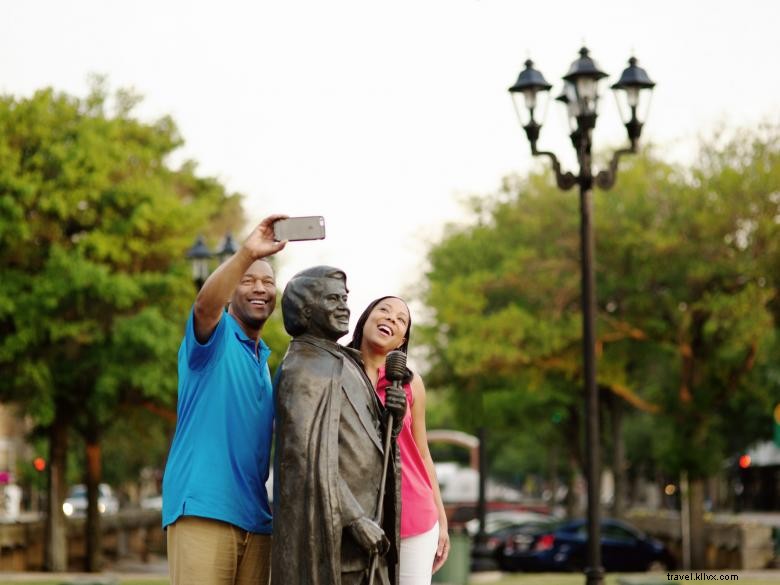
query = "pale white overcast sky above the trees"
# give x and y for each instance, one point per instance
(382, 115)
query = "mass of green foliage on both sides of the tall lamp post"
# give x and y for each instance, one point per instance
(687, 265)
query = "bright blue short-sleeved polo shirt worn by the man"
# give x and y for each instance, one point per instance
(218, 463)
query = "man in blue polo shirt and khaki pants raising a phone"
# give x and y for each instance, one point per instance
(215, 505)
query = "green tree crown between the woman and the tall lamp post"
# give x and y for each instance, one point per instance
(506, 328)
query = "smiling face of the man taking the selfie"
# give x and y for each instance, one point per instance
(254, 299)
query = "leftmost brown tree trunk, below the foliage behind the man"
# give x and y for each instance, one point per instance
(56, 525)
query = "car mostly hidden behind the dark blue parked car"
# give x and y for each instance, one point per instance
(499, 526)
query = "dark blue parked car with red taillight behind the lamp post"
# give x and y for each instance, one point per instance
(563, 547)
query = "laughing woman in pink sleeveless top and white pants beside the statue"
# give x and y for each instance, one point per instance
(385, 325)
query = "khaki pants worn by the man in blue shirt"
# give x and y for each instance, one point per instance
(209, 552)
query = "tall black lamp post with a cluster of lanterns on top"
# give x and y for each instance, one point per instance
(580, 95)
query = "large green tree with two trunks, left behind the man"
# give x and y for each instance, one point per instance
(93, 229)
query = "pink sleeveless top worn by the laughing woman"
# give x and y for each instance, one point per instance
(418, 508)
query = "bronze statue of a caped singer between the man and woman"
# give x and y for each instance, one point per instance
(329, 448)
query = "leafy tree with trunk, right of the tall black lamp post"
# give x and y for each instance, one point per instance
(701, 253)
